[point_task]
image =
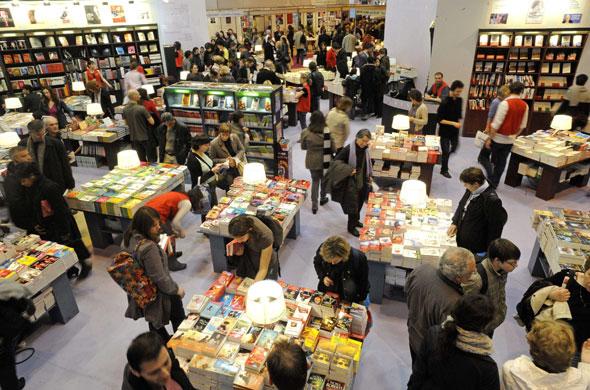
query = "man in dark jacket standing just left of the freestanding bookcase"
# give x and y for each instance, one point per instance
(173, 139)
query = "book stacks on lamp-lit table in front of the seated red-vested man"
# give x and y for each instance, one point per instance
(405, 147)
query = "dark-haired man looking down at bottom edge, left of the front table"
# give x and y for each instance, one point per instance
(151, 366)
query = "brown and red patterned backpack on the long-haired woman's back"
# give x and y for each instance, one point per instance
(128, 272)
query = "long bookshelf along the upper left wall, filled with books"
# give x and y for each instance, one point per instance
(54, 58)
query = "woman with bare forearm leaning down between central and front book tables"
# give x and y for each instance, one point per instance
(253, 247)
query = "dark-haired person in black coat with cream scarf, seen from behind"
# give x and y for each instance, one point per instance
(457, 355)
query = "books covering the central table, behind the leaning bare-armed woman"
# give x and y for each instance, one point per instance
(279, 198)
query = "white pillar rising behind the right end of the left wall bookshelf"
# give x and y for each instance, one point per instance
(182, 20)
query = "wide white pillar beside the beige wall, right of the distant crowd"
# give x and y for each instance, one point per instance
(407, 35)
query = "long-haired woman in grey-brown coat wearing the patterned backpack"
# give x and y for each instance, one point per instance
(142, 239)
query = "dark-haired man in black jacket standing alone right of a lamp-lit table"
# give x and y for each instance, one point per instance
(480, 217)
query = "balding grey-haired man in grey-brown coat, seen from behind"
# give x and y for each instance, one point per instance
(431, 293)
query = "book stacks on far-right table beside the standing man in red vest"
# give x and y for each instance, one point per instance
(553, 148)
